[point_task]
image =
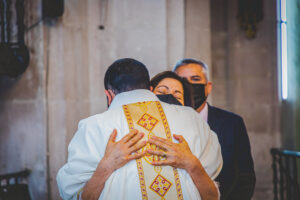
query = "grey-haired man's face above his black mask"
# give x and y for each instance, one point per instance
(193, 73)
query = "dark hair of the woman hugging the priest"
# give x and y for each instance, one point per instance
(187, 89)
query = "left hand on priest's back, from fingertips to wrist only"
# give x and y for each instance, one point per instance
(117, 154)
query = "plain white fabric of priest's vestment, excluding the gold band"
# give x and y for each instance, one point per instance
(87, 148)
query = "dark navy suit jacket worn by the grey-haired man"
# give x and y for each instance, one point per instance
(237, 178)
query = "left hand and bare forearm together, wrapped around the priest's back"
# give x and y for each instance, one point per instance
(117, 154)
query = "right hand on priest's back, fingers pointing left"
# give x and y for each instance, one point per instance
(177, 155)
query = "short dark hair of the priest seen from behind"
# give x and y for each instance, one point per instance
(126, 74)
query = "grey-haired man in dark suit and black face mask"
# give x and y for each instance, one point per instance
(237, 178)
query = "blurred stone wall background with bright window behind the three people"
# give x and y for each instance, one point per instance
(252, 48)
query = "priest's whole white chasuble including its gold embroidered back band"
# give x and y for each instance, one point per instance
(139, 179)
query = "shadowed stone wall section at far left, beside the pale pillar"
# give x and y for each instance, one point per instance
(23, 123)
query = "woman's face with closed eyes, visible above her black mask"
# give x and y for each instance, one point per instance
(170, 86)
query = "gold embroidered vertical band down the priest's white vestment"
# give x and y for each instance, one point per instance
(156, 182)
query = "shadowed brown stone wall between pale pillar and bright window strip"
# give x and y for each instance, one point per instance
(244, 74)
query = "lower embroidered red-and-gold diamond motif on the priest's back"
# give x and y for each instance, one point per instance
(160, 185)
